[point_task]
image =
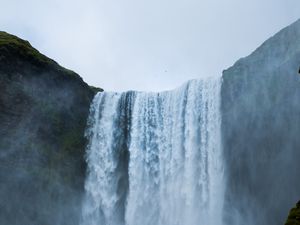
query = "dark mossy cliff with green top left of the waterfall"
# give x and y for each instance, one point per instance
(43, 112)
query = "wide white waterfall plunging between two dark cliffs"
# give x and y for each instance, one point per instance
(155, 158)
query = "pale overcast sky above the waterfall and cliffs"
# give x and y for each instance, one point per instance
(148, 45)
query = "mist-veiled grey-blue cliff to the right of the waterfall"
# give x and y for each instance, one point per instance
(261, 128)
